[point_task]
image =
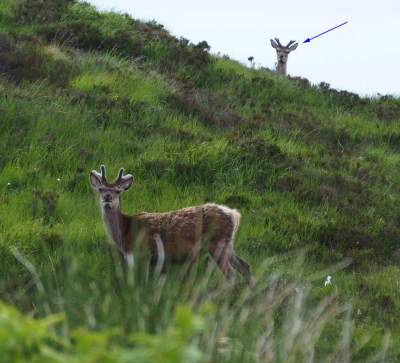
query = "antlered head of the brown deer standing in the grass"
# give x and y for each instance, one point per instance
(109, 193)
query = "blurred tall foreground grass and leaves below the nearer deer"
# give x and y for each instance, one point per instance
(185, 315)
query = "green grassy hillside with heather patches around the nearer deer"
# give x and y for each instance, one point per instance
(314, 172)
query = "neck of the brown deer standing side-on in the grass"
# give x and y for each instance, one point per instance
(116, 225)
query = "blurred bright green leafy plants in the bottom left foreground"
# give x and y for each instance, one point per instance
(24, 339)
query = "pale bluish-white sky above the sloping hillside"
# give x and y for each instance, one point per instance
(362, 56)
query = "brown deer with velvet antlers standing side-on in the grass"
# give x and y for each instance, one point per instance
(180, 235)
